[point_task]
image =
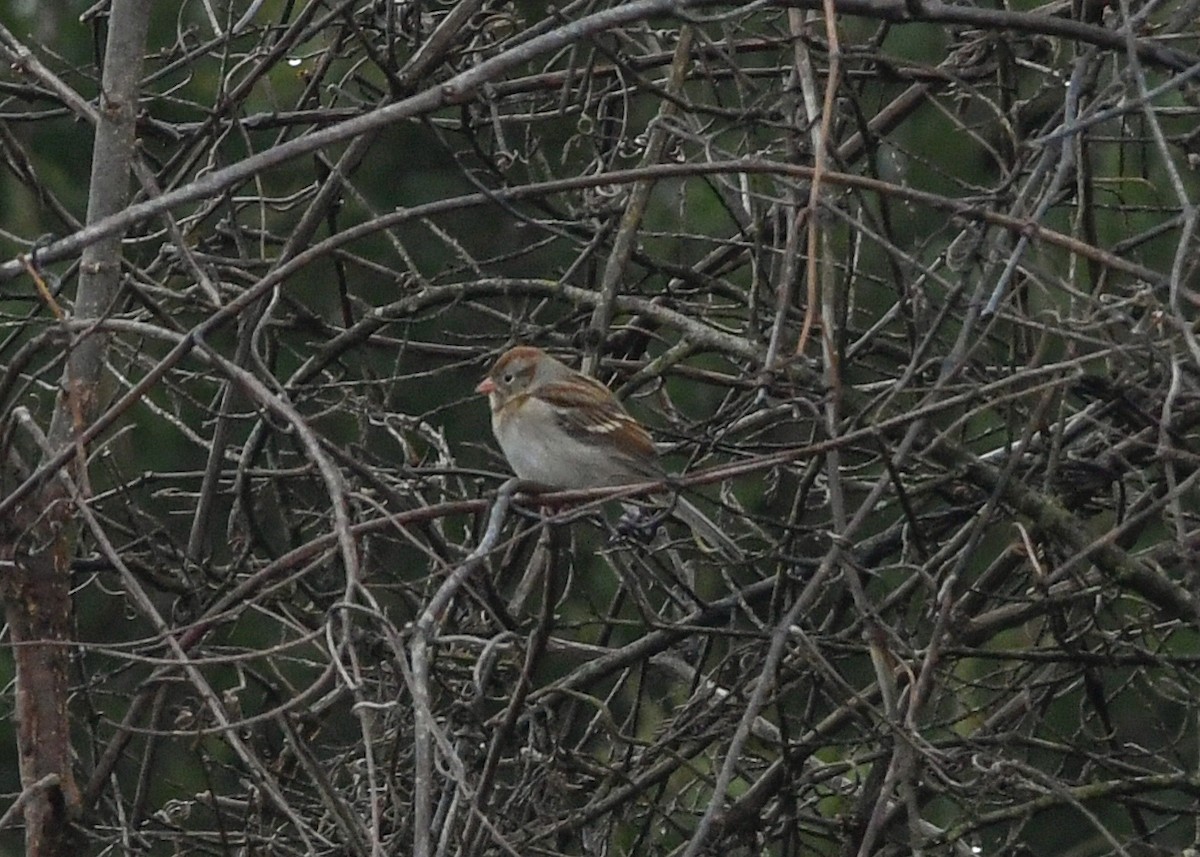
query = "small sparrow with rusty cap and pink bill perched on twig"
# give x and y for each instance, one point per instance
(565, 430)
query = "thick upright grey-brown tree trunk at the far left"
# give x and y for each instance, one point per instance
(40, 537)
